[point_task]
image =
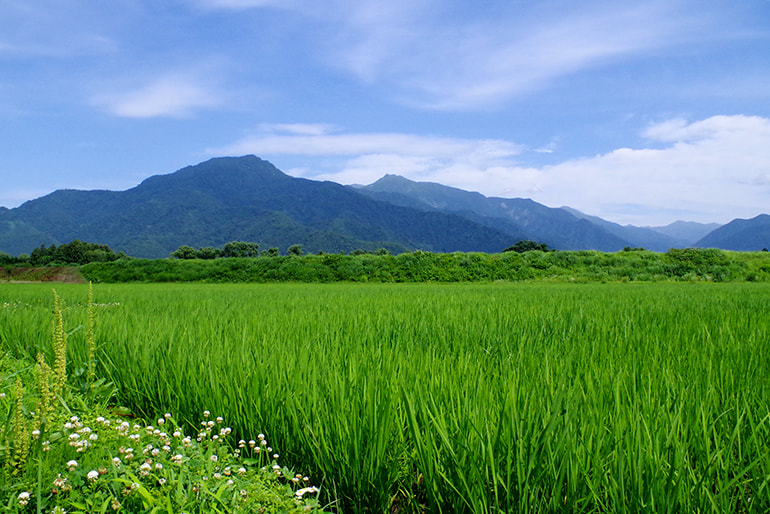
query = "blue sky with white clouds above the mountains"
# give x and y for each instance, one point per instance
(638, 112)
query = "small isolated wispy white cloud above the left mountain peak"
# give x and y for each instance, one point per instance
(170, 95)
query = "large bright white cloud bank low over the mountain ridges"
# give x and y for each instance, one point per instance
(712, 170)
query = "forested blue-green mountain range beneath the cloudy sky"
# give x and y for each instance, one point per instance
(248, 199)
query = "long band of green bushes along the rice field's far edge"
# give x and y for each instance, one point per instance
(684, 264)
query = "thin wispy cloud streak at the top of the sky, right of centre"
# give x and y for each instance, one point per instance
(442, 62)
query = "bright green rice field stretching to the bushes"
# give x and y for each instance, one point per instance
(483, 398)
